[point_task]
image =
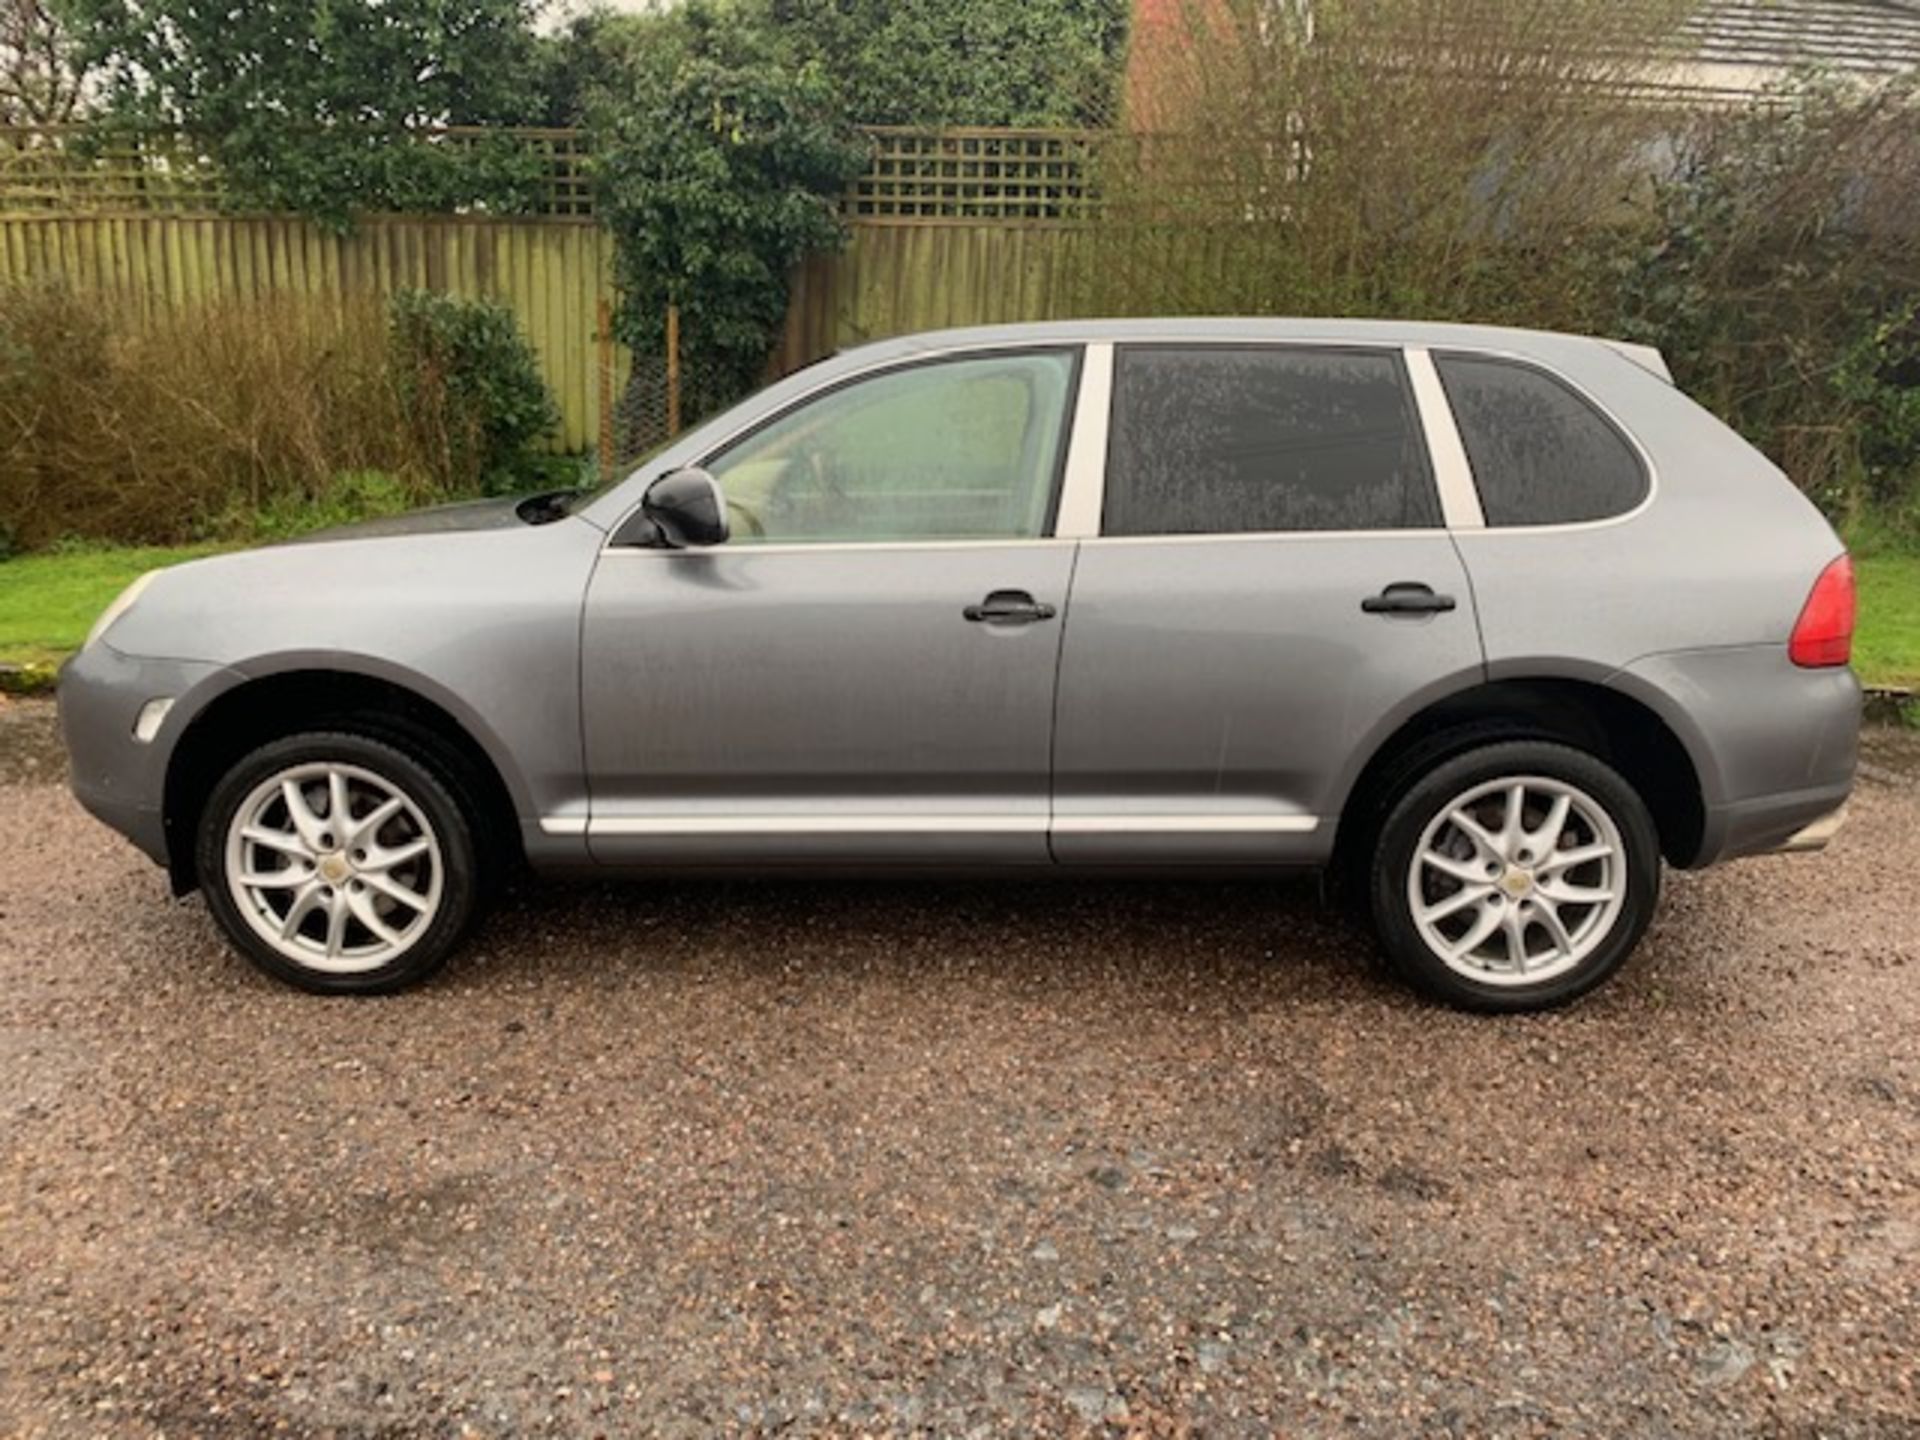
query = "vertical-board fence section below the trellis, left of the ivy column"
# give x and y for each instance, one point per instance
(550, 274)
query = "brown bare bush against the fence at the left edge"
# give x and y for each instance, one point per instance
(118, 425)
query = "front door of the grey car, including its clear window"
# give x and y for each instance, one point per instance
(865, 671)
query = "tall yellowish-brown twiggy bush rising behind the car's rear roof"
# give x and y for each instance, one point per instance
(1426, 158)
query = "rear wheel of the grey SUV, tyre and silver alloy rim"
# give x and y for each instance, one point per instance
(1516, 876)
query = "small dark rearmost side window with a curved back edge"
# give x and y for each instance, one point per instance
(1541, 454)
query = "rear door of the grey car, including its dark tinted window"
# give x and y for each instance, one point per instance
(1274, 588)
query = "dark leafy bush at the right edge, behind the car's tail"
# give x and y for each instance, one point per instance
(1777, 268)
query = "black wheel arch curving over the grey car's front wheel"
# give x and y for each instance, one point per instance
(318, 692)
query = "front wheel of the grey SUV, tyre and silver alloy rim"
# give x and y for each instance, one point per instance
(341, 863)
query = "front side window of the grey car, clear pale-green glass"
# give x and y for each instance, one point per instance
(953, 450)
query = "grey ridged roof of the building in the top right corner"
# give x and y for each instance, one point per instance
(1854, 36)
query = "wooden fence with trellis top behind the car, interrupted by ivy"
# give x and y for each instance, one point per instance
(951, 228)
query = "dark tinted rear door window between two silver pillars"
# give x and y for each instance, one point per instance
(1249, 439)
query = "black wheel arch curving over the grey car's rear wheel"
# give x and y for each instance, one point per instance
(1618, 727)
